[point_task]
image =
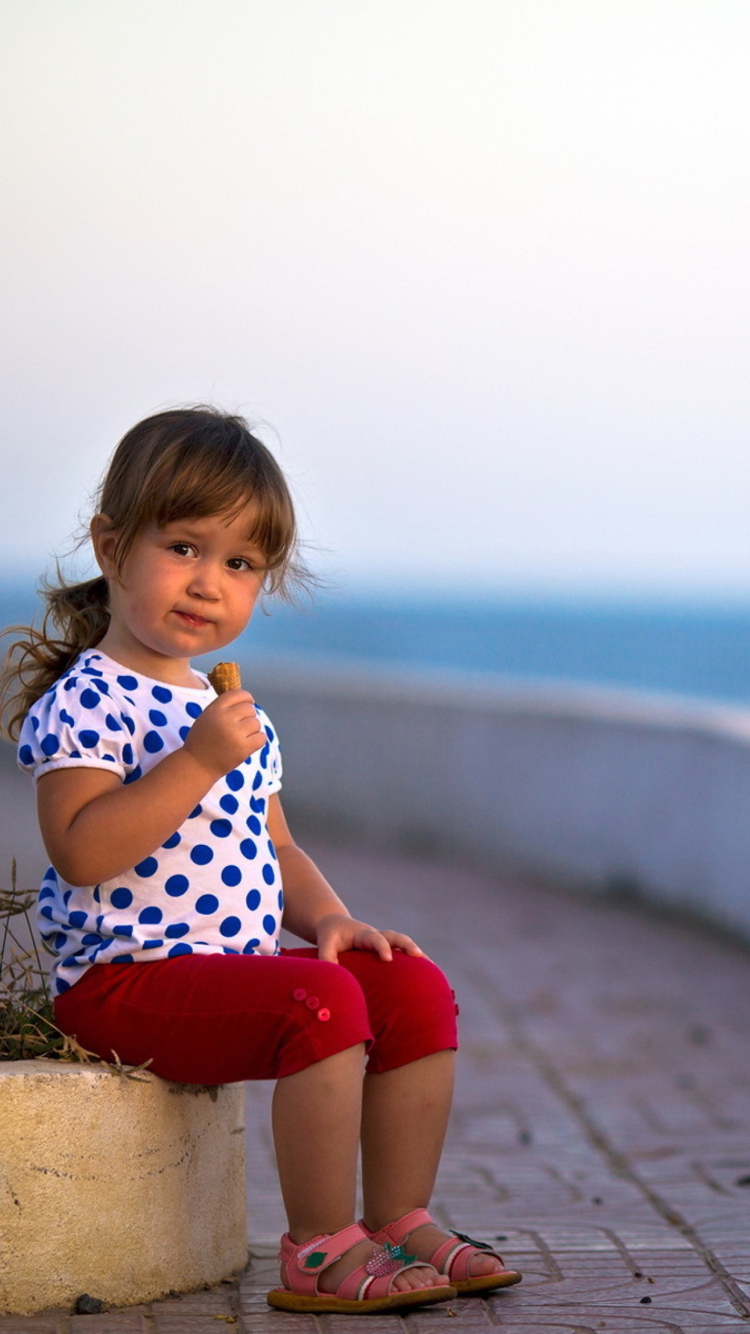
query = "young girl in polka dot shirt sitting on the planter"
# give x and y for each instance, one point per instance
(159, 809)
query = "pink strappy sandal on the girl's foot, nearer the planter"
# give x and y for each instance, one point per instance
(369, 1288)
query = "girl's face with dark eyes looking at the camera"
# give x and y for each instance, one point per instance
(185, 590)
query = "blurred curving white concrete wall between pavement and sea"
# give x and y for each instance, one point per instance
(600, 790)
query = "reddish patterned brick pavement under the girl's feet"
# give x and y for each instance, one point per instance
(601, 1131)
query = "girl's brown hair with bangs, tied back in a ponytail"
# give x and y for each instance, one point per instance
(177, 465)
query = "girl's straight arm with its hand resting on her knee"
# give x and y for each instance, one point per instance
(314, 912)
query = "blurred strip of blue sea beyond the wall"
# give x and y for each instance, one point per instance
(685, 649)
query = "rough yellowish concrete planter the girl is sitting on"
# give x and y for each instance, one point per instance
(126, 1191)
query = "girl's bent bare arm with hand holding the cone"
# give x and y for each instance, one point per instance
(95, 828)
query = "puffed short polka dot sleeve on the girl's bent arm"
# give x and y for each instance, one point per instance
(78, 724)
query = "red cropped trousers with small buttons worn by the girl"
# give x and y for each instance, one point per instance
(218, 1019)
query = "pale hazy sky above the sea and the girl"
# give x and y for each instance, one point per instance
(481, 267)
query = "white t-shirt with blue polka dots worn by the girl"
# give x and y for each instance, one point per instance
(214, 886)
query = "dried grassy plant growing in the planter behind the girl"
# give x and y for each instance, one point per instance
(27, 1020)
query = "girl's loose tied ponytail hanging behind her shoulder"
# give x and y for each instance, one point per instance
(77, 618)
